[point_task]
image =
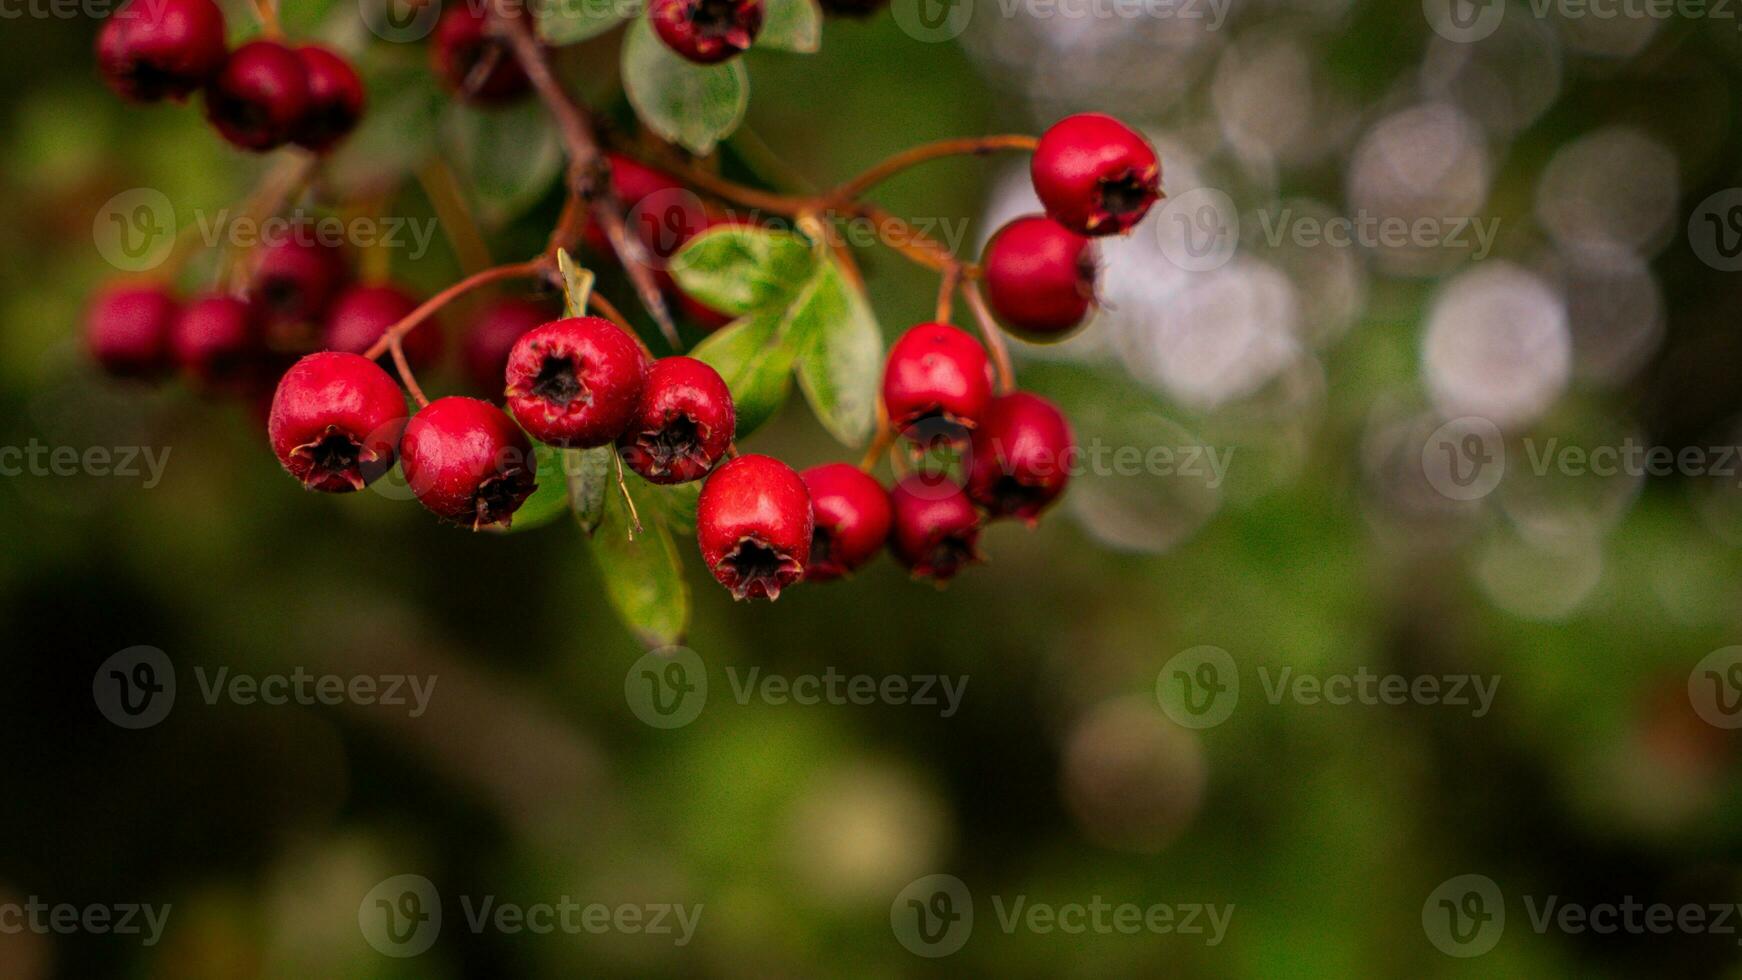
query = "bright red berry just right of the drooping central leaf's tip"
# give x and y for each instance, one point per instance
(936, 384)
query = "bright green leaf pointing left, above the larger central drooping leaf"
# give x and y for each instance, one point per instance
(739, 269)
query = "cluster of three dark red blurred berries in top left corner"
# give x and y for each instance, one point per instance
(259, 97)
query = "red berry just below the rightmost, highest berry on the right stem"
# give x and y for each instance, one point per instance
(1041, 278)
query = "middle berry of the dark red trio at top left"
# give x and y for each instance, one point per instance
(260, 97)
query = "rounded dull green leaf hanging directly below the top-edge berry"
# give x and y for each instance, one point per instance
(694, 105)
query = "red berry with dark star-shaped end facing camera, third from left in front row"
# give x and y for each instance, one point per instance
(576, 382)
